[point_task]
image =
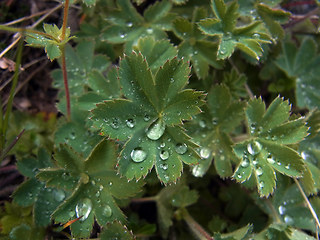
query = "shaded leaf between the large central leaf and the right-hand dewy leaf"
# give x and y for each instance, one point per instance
(210, 130)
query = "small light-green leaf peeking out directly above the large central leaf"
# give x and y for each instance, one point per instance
(156, 52)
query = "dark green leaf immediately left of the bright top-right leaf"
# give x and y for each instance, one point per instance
(194, 47)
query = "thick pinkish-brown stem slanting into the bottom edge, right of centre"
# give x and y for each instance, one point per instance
(195, 227)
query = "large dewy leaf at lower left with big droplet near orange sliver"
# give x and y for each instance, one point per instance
(95, 186)
